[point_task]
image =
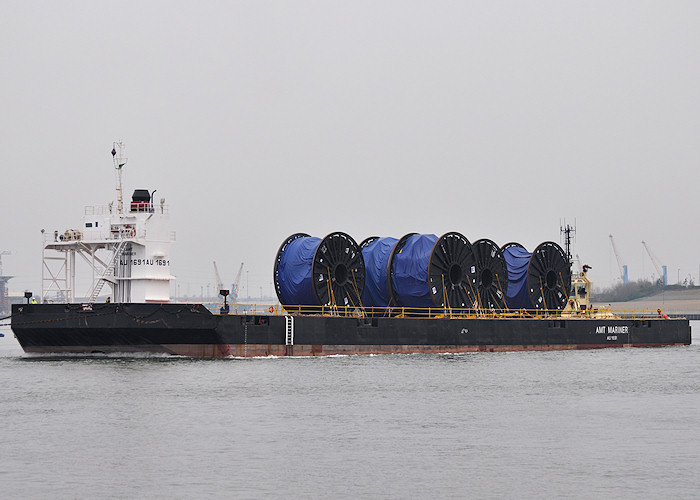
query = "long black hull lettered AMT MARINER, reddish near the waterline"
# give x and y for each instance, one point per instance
(191, 330)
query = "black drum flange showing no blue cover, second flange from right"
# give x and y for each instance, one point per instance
(492, 281)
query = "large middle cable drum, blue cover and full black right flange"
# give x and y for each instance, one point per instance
(427, 271)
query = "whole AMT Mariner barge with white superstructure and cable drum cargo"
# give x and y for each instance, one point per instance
(418, 293)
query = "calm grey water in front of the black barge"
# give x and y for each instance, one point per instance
(587, 424)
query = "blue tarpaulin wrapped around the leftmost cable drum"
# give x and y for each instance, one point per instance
(294, 272)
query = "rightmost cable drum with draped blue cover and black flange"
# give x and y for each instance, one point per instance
(537, 280)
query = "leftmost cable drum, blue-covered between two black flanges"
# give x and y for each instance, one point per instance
(311, 271)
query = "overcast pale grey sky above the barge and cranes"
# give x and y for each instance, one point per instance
(259, 119)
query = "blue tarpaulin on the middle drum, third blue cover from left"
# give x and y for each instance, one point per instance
(409, 273)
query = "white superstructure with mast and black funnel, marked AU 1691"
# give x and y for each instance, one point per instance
(126, 249)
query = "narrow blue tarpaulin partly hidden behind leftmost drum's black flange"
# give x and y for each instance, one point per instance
(376, 256)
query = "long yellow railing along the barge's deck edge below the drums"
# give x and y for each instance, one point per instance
(427, 313)
